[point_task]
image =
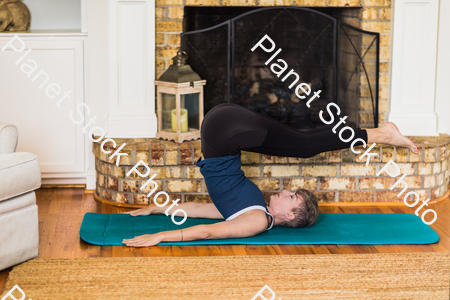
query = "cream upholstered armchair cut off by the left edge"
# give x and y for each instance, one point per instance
(20, 175)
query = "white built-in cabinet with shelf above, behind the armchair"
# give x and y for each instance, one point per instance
(57, 39)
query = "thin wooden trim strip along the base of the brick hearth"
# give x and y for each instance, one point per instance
(325, 204)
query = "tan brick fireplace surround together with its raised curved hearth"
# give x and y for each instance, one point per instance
(336, 176)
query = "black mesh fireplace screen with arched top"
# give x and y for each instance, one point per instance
(337, 59)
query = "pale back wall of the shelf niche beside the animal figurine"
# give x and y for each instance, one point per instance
(55, 14)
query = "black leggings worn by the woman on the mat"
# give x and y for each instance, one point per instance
(229, 128)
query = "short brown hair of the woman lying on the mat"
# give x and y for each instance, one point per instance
(307, 212)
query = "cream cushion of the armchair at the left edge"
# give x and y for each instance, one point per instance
(19, 173)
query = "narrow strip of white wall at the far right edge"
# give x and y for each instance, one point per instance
(443, 69)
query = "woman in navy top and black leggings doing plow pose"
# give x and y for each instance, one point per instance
(226, 130)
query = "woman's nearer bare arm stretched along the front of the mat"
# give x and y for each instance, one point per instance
(248, 224)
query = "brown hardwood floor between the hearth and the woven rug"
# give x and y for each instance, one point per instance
(61, 211)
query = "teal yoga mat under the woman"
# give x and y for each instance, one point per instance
(333, 228)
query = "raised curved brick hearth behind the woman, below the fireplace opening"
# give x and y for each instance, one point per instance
(335, 176)
